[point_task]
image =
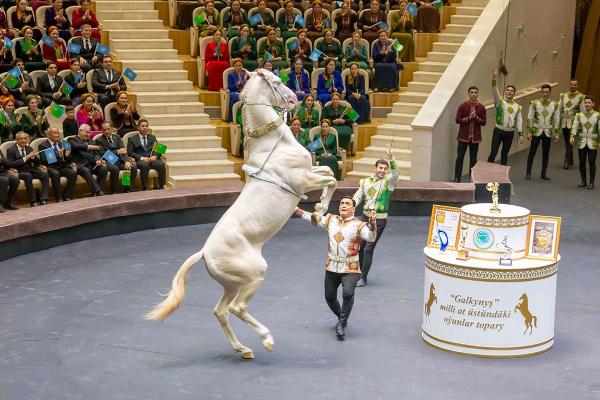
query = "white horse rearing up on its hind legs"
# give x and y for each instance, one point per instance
(279, 172)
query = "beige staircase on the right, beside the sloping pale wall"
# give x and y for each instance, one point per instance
(397, 128)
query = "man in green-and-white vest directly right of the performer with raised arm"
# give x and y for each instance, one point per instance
(542, 123)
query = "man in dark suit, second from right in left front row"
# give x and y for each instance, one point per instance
(109, 141)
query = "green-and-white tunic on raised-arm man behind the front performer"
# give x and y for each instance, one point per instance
(377, 192)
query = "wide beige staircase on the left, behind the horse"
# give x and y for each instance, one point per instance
(165, 97)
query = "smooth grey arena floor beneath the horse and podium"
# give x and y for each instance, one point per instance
(71, 320)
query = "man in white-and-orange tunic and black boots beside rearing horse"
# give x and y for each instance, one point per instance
(342, 264)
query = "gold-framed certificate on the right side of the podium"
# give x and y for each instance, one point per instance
(543, 237)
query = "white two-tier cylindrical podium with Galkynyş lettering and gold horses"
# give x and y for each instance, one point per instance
(481, 308)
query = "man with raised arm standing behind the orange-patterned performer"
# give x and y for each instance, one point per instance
(375, 193)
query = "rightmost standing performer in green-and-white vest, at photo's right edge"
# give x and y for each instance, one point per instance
(585, 133)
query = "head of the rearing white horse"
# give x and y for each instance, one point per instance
(264, 87)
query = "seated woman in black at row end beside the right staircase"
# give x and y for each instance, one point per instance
(386, 64)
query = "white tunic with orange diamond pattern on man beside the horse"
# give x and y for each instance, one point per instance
(344, 241)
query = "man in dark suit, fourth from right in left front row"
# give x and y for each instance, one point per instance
(62, 167)
